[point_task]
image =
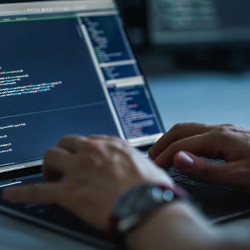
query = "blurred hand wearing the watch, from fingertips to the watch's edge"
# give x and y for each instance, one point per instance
(87, 175)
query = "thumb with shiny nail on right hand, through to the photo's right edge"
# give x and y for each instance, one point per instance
(221, 173)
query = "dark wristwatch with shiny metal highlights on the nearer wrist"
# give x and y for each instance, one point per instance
(138, 203)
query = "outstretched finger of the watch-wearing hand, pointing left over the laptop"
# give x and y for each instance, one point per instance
(43, 193)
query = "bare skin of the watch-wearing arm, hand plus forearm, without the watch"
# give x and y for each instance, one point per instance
(87, 175)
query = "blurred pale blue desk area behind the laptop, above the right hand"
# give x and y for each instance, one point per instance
(213, 98)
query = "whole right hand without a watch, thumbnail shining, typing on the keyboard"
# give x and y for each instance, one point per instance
(184, 142)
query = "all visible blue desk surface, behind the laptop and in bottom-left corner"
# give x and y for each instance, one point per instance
(204, 97)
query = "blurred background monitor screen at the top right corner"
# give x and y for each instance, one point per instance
(179, 22)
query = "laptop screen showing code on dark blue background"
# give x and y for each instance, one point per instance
(66, 67)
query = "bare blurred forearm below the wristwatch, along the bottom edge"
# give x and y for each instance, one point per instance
(180, 226)
